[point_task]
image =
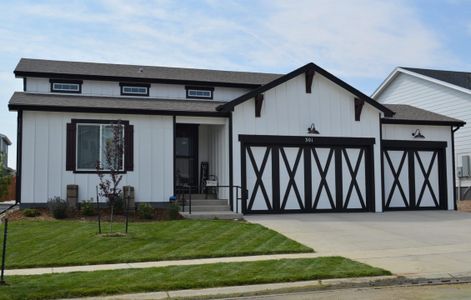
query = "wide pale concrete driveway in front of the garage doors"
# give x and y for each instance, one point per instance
(421, 243)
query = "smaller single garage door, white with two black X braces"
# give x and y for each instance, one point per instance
(414, 175)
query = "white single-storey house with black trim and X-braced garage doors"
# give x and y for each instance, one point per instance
(305, 141)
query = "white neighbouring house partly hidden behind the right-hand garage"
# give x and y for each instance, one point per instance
(446, 92)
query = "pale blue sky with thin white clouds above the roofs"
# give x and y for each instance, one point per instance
(358, 41)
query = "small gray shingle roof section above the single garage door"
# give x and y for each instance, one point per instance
(404, 112)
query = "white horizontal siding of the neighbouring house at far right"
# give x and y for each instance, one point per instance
(408, 89)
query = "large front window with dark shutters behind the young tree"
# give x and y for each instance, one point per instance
(87, 141)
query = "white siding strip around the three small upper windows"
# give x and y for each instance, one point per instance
(112, 89)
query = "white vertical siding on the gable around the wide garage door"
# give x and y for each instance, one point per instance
(288, 110)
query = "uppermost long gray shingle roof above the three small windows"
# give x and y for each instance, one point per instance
(87, 69)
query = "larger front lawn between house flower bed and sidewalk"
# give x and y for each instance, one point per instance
(63, 243)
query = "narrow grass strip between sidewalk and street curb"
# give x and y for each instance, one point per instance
(99, 283)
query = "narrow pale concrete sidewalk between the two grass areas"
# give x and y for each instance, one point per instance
(154, 264)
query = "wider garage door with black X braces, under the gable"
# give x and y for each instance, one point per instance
(306, 174)
